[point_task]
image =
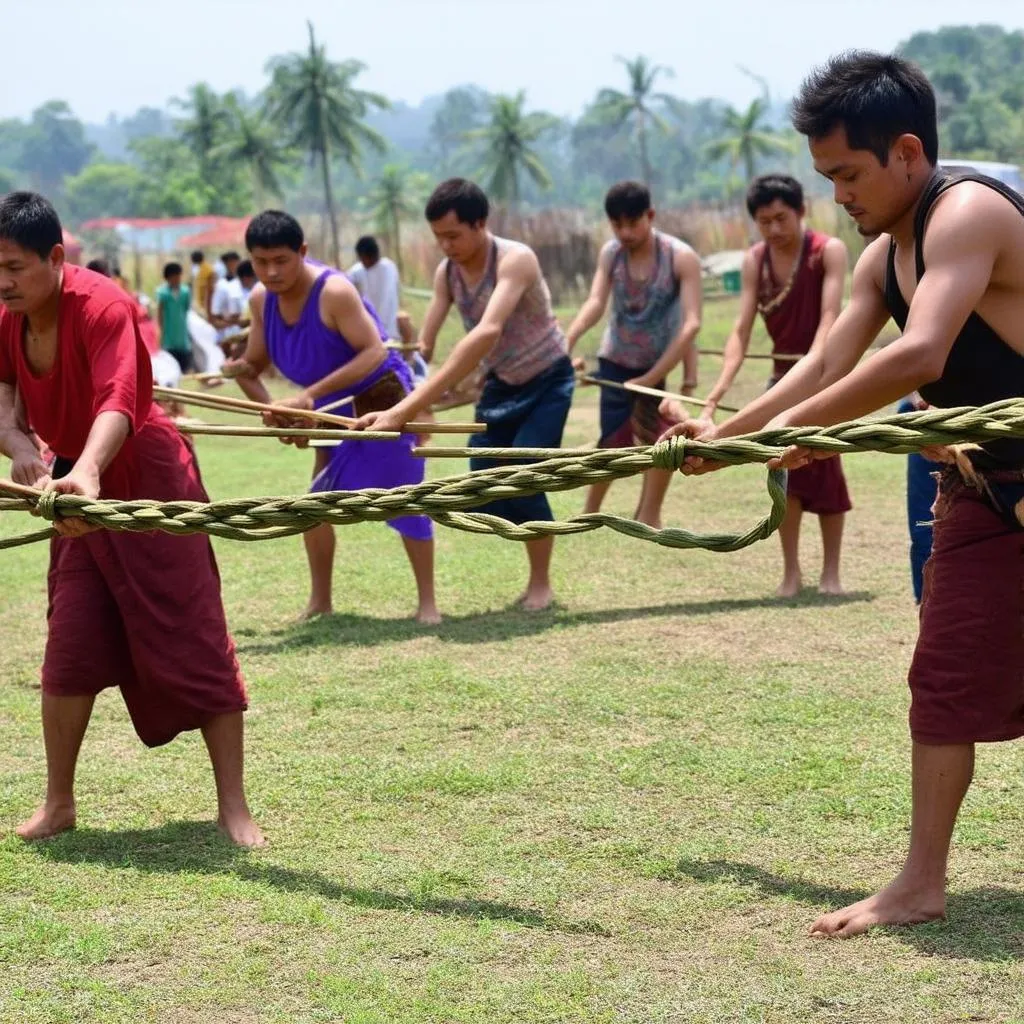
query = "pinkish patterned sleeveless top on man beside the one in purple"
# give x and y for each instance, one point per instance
(532, 340)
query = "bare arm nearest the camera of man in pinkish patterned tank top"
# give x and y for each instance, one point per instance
(516, 274)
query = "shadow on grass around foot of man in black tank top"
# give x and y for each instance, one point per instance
(984, 924)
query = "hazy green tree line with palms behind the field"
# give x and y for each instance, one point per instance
(315, 140)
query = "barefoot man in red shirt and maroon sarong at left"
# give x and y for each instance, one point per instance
(142, 612)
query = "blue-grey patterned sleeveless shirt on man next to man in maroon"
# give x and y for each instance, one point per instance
(646, 315)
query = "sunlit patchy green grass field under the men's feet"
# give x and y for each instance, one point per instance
(626, 810)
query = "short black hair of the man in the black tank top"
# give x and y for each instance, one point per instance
(876, 98)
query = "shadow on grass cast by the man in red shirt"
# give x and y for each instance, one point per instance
(197, 847)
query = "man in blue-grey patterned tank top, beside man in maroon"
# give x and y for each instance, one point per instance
(654, 281)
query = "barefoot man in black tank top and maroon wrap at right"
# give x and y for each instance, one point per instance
(949, 267)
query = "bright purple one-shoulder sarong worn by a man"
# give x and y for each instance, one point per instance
(306, 353)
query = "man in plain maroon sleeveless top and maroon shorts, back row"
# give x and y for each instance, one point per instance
(795, 279)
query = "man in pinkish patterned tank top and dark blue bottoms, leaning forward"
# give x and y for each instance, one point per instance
(513, 334)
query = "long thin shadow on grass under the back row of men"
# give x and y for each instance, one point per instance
(504, 624)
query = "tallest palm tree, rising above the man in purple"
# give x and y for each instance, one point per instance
(314, 100)
